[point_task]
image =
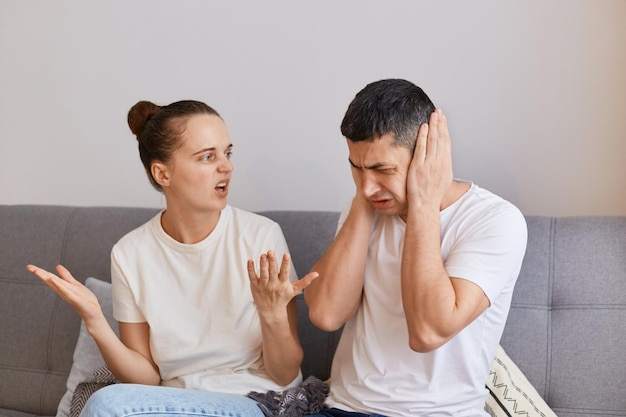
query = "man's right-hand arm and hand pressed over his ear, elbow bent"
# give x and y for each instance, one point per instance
(436, 305)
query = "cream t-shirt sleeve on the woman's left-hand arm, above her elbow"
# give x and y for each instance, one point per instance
(124, 306)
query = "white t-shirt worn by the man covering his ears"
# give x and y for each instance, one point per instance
(375, 371)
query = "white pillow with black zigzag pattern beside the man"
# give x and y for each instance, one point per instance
(510, 392)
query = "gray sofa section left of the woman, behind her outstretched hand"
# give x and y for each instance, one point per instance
(38, 329)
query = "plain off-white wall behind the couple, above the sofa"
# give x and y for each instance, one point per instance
(534, 91)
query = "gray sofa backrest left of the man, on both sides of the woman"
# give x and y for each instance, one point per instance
(42, 329)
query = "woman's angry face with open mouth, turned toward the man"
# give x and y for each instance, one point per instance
(199, 172)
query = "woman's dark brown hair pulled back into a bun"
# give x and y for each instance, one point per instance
(159, 128)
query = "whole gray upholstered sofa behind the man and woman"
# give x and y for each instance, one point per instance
(566, 329)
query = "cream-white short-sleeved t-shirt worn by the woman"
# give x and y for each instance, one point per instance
(205, 331)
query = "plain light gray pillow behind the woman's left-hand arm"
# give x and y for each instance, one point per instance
(87, 357)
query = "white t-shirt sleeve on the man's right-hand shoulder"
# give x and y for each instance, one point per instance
(489, 252)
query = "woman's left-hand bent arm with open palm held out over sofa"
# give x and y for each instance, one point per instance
(130, 360)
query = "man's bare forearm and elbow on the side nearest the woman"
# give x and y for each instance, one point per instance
(335, 296)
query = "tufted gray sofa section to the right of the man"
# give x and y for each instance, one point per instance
(567, 325)
